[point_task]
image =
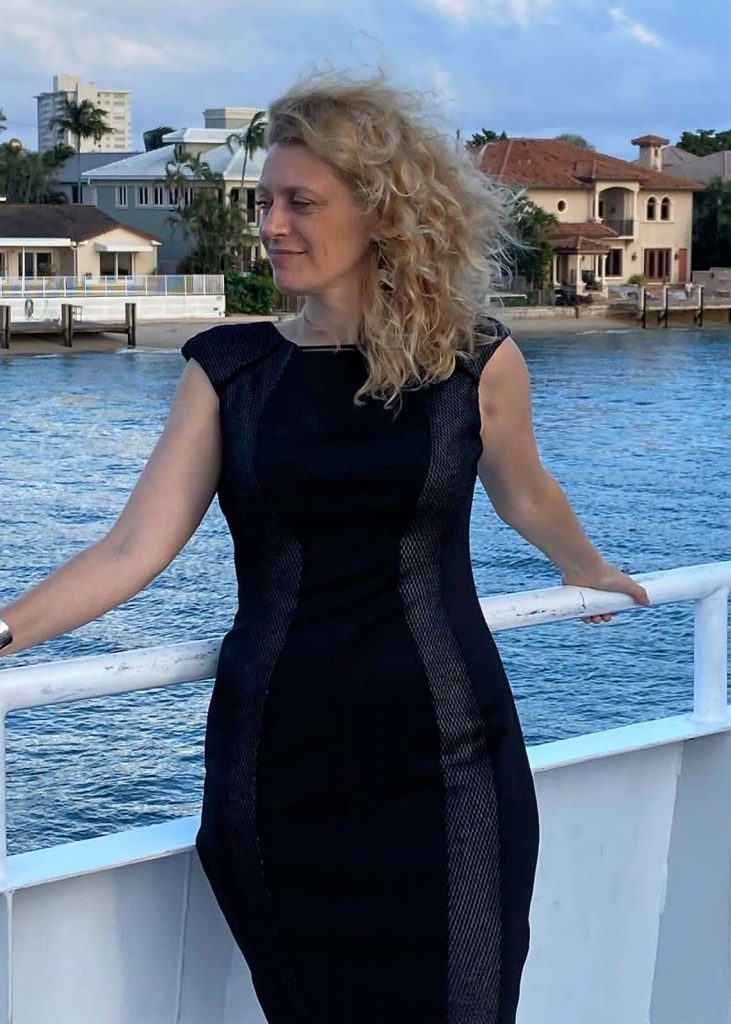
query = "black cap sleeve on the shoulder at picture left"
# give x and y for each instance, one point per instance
(224, 351)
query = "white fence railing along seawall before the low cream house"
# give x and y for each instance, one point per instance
(170, 284)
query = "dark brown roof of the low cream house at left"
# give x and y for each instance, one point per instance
(33, 221)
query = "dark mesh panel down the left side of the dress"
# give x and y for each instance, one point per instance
(252, 918)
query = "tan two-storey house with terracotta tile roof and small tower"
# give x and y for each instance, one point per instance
(617, 218)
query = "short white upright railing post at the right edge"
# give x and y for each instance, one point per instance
(711, 658)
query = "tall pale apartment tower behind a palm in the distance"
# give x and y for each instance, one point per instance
(115, 102)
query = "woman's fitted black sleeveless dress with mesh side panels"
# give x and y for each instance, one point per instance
(370, 827)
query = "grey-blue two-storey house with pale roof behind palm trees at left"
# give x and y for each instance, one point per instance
(134, 191)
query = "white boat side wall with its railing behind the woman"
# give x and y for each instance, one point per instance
(632, 912)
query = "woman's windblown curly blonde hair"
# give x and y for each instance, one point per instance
(444, 225)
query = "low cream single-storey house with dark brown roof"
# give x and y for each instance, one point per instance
(49, 241)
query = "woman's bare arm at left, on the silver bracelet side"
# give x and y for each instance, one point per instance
(170, 499)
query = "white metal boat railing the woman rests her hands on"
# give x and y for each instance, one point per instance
(707, 585)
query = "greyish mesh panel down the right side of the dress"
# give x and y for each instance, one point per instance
(472, 825)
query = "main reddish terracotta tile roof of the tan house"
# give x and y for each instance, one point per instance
(551, 163)
